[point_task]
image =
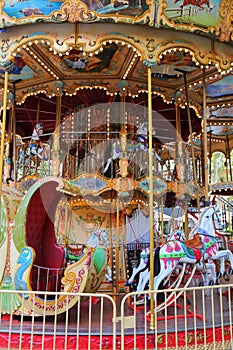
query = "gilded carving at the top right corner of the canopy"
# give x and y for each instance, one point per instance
(224, 29)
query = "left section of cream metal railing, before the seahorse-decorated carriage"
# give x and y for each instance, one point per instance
(85, 326)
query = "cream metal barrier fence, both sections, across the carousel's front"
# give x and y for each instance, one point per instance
(191, 318)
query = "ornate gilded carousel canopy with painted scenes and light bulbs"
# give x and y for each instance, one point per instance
(65, 47)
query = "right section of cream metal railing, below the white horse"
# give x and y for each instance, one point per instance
(191, 318)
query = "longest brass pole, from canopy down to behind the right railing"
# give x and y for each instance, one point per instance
(152, 320)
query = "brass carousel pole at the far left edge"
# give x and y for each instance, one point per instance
(3, 129)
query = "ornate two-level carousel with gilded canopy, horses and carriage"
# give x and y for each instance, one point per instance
(116, 136)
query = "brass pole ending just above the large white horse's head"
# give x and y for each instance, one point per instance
(205, 144)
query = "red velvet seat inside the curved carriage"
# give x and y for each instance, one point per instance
(41, 236)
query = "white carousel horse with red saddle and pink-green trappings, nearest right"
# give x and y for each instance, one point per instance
(170, 254)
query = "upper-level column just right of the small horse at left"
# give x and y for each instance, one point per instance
(56, 137)
